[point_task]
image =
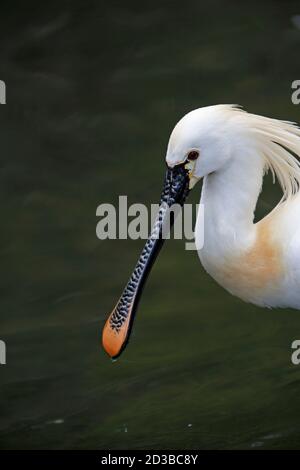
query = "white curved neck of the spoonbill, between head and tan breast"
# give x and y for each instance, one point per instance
(229, 197)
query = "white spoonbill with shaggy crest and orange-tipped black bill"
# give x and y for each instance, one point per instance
(257, 262)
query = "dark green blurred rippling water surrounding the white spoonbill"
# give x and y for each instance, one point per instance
(93, 92)
